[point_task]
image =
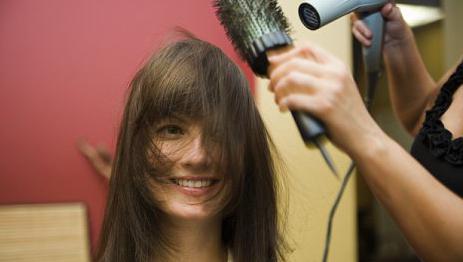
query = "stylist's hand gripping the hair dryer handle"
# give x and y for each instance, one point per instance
(396, 30)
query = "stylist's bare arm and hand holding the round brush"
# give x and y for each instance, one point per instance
(311, 79)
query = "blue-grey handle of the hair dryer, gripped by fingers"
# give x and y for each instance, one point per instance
(372, 54)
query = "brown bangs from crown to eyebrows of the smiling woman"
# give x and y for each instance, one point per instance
(195, 85)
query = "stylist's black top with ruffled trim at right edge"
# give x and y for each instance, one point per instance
(434, 147)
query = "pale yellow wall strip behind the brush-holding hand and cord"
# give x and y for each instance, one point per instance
(311, 186)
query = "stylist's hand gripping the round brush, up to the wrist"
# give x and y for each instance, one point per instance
(309, 79)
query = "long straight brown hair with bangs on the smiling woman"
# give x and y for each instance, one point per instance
(197, 80)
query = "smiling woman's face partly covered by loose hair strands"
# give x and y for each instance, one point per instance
(192, 188)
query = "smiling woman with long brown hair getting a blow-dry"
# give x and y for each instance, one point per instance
(193, 177)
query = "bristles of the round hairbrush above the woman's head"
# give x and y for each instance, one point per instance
(247, 20)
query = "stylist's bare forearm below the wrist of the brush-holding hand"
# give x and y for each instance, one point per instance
(430, 216)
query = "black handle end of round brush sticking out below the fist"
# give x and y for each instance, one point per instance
(310, 128)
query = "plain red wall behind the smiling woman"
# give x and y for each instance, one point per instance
(64, 71)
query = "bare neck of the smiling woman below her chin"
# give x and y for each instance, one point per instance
(196, 240)
